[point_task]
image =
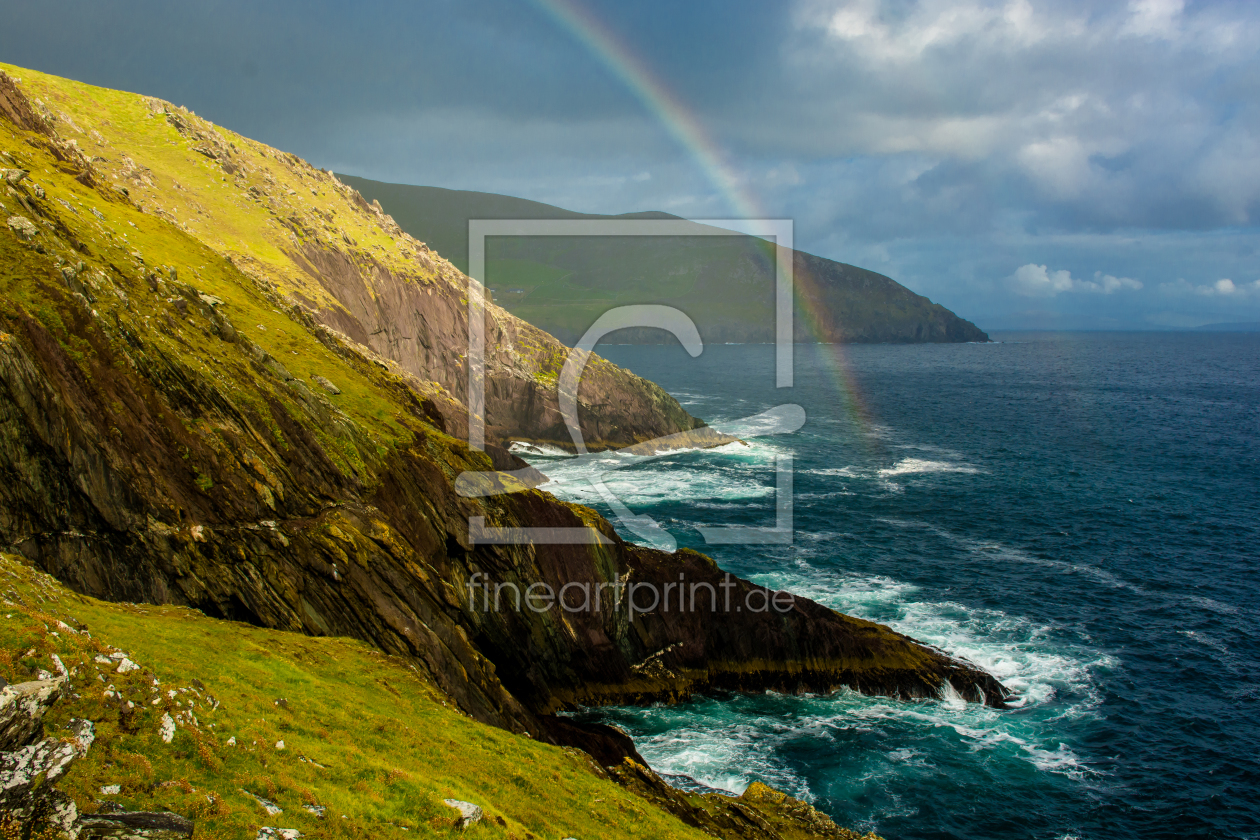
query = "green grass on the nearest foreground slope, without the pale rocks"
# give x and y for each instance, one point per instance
(389, 747)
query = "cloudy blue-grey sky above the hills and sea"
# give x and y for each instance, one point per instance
(1028, 164)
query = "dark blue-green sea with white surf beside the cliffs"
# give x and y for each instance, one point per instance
(1078, 513)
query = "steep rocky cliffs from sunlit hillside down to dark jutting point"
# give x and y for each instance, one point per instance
(185, 426)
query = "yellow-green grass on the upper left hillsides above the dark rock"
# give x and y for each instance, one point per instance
(124, 245)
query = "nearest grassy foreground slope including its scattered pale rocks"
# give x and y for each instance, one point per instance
(161, 724)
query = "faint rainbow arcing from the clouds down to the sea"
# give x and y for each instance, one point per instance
(614, 55)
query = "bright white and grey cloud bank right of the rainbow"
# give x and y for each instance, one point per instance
(1135, 115)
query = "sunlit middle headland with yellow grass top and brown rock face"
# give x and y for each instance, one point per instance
(319, 245)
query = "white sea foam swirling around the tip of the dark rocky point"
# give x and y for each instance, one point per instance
(729, 751)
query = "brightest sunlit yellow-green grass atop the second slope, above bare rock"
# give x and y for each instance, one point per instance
(137, 144)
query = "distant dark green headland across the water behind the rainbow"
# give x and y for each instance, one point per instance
(726, 285)
